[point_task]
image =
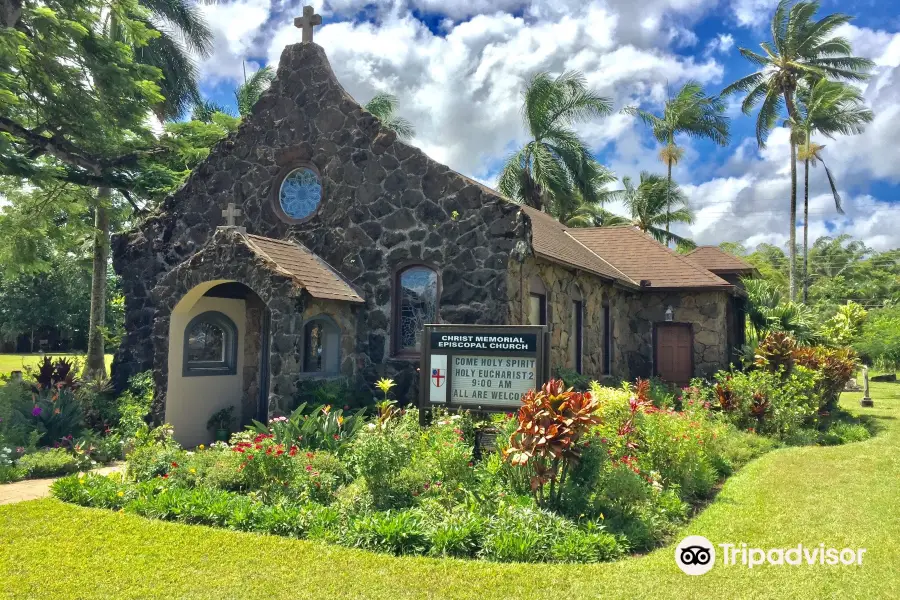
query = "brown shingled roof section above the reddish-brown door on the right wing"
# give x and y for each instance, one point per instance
(643, 258)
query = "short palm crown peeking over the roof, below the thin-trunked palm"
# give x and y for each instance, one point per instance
(651, 204)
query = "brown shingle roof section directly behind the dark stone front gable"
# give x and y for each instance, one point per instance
(551, 239)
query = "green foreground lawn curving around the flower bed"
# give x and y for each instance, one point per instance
(846, 496)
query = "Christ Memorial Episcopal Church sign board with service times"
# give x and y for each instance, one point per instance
(481, 367)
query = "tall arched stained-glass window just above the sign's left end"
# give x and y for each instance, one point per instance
(415, 304)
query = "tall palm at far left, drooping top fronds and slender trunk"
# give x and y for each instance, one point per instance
(181, 32)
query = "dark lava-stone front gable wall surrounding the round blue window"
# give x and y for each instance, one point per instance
(384, 204)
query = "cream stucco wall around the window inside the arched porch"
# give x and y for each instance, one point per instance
(190, 401)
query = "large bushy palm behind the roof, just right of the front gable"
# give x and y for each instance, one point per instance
(555, 162)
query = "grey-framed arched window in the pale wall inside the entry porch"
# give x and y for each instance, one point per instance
(210, 345)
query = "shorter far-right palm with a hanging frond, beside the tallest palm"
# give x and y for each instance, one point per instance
(825, 107)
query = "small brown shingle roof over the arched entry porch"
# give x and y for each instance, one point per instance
(304, 267)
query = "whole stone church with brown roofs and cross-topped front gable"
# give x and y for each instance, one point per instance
(312, 243)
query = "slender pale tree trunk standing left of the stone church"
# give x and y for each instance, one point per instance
(95, 365)
